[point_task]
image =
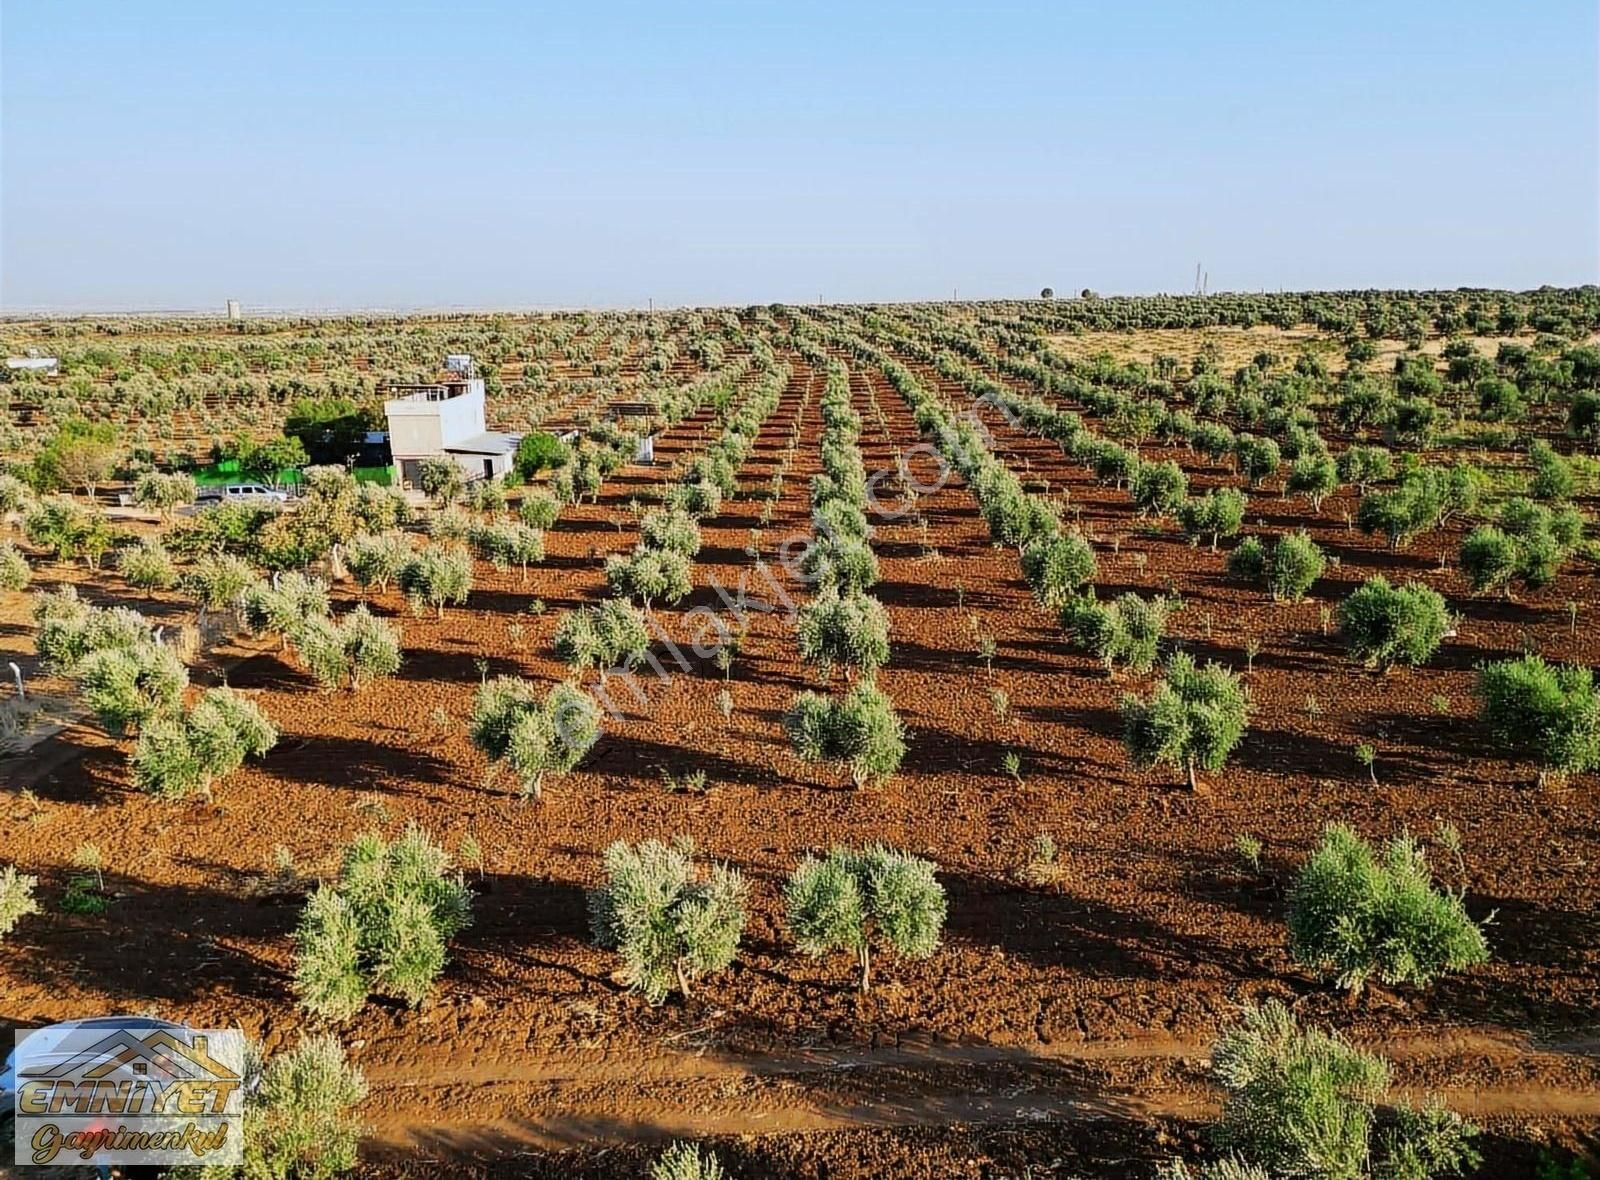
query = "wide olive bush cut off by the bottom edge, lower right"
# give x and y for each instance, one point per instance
(1305, 1104)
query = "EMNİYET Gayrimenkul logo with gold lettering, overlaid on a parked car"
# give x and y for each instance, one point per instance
(121, 1091)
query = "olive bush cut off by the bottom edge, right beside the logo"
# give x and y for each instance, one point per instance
(298, 1120)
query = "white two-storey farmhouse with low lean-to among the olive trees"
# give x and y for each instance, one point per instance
(446, 418)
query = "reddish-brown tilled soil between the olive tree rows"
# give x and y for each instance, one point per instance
(1033, 1013)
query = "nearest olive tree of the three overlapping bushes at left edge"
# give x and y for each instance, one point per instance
(183, 755)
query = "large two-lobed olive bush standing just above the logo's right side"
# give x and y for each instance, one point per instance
(382, 928)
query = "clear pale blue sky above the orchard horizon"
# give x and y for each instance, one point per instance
(161, 154)
